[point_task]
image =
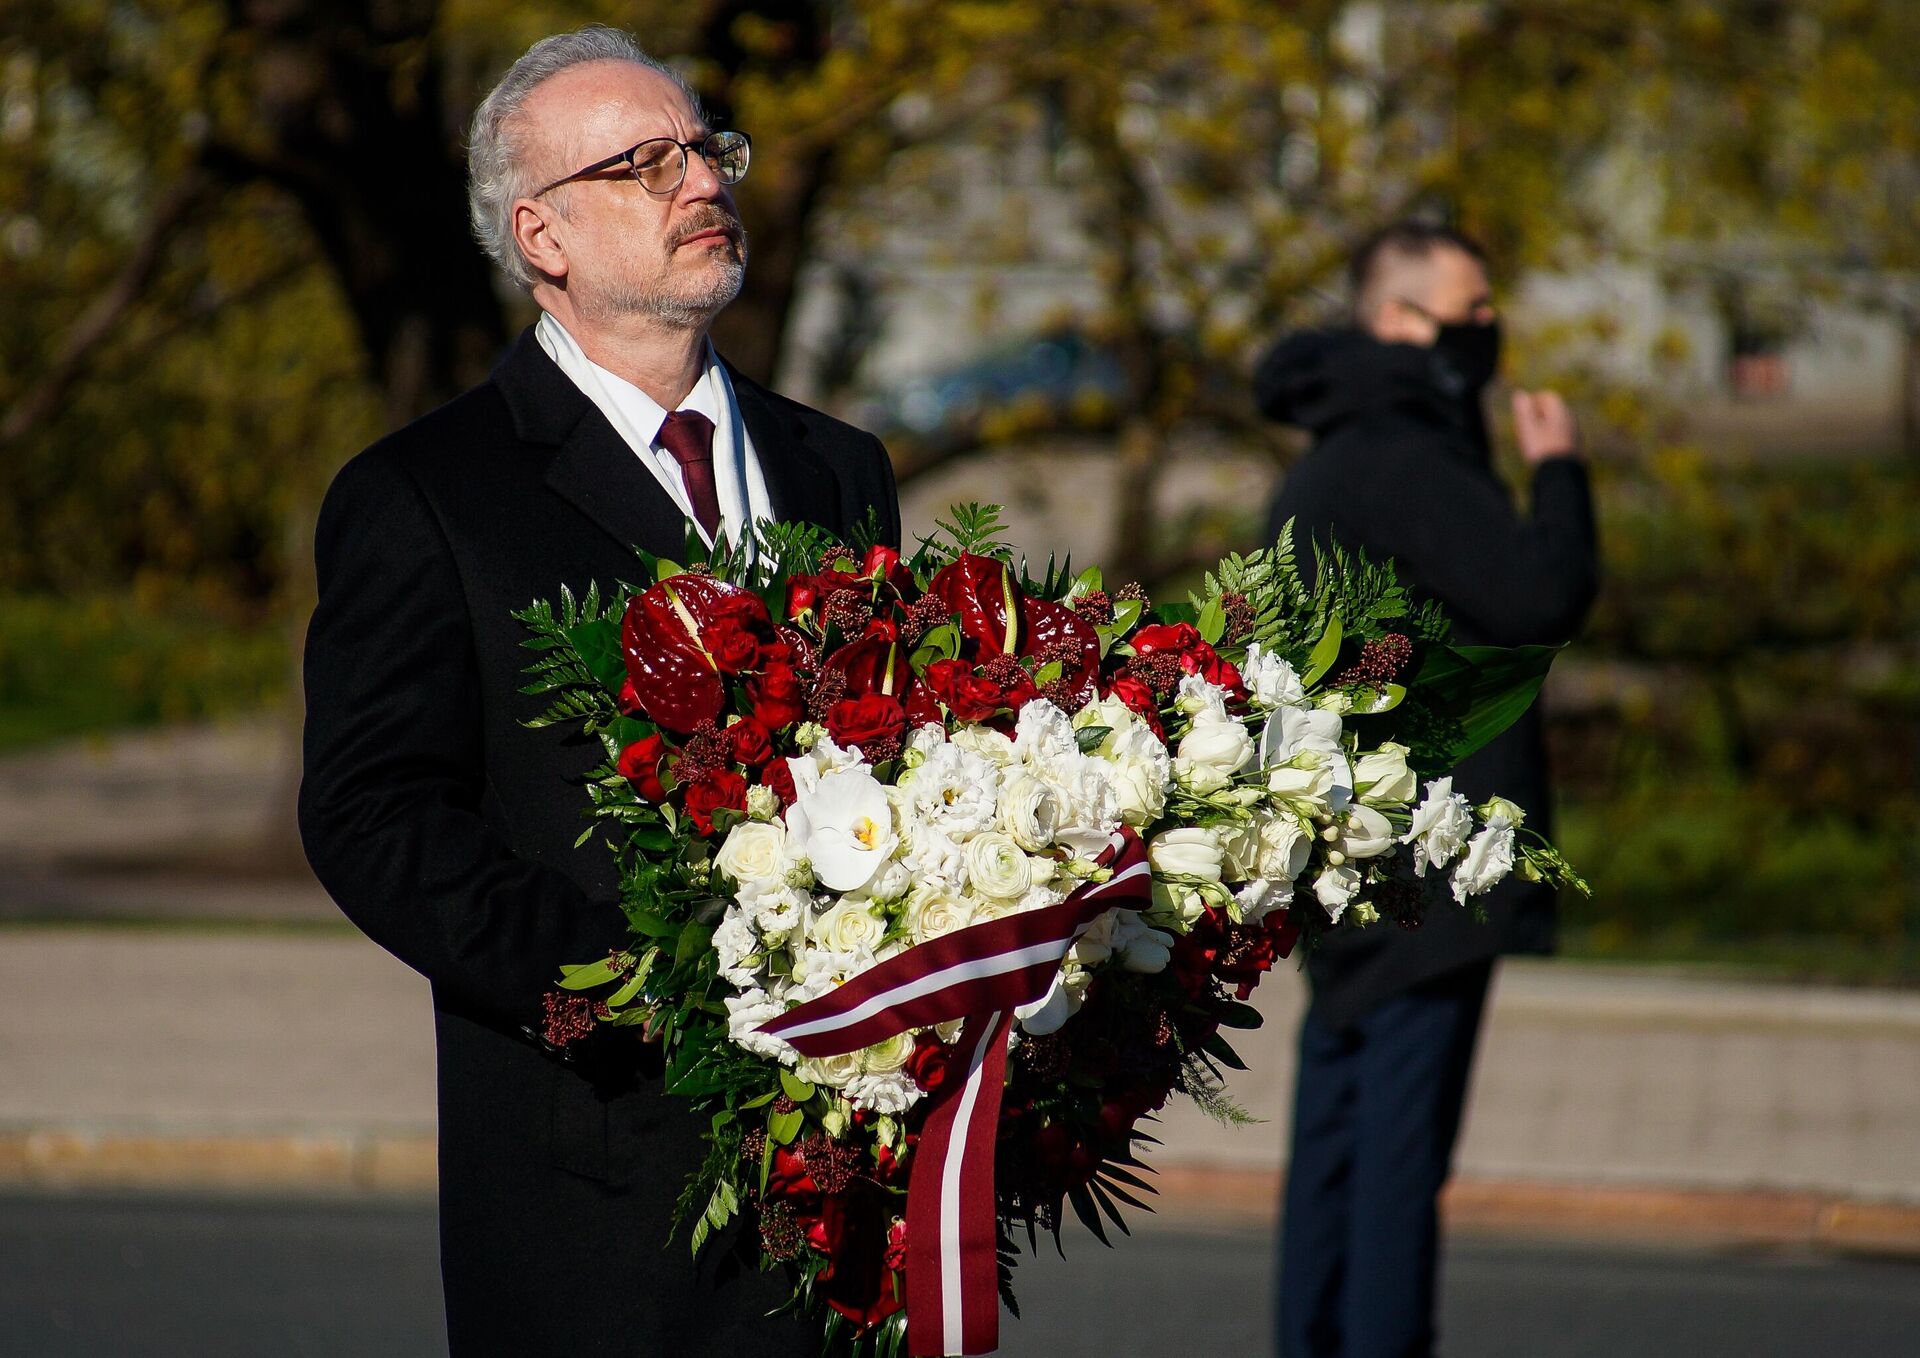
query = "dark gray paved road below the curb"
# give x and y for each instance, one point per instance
(170, 1278)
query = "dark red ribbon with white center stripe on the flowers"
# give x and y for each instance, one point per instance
(982, 975)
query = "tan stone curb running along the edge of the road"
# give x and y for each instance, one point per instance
(406, 1165)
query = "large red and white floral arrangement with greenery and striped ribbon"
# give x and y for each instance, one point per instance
(944, 877)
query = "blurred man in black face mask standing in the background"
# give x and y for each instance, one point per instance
(1403, 468)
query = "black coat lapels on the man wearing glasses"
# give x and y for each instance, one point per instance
(600, 475)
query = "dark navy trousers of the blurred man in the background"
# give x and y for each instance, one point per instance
(1376, 1115)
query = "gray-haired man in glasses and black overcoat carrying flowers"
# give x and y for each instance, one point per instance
(443, 825)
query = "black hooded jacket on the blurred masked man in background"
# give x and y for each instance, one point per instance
(1401, 468)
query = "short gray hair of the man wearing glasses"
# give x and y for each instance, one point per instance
(496, 145)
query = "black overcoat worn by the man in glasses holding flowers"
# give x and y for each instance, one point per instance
(444, 829)
